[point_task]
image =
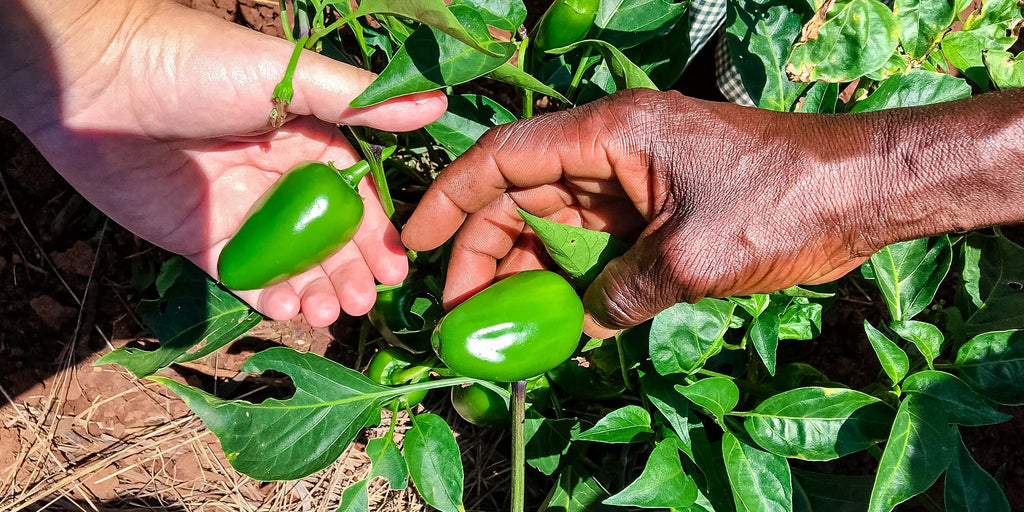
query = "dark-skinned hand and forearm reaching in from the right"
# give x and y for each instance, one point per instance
(720, 200)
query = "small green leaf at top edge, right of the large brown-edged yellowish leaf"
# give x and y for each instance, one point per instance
(922, 24)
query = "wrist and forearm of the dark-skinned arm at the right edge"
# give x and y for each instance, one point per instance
(950, 167)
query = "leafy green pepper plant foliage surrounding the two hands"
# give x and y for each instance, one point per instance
(708, 415)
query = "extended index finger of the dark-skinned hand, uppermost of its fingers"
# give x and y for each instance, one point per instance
(529, 153)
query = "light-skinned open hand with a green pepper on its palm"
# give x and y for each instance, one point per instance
(175, 145)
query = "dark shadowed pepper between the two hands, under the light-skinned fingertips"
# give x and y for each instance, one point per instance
(393, 316)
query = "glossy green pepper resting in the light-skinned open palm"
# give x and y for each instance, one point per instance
(305, 218)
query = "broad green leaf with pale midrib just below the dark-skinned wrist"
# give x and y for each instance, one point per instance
(909, 274)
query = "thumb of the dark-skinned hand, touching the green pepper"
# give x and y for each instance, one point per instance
(638, 285)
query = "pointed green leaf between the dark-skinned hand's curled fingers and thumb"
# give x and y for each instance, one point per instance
(582, 253)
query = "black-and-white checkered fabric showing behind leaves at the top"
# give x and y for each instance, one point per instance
(706, 18)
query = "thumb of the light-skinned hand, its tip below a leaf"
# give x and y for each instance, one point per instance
(324, 88)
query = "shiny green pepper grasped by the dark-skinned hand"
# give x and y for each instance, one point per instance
(516, 329)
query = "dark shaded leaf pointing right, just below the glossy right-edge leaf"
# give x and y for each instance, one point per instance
(963, 406)
